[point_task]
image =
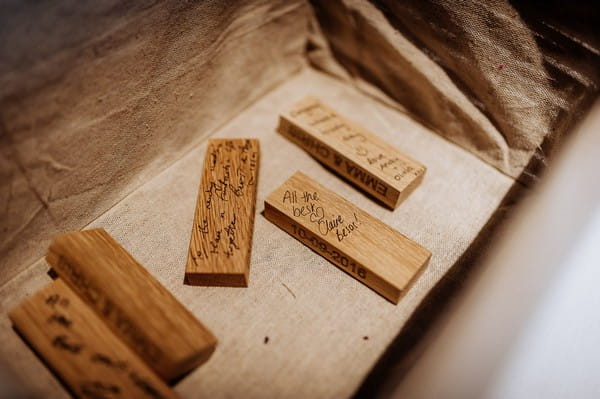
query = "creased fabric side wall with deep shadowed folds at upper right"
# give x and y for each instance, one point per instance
(504, 79)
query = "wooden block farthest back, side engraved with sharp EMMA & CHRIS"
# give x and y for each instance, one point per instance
(359, 156)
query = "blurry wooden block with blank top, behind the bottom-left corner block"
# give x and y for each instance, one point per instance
(136, 307)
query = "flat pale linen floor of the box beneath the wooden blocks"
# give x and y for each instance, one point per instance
(314, 314)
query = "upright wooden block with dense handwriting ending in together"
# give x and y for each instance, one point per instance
(221, 240)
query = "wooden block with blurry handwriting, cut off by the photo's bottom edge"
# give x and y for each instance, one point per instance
(76, 344)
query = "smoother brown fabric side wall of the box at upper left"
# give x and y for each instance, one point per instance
(97, 97)
